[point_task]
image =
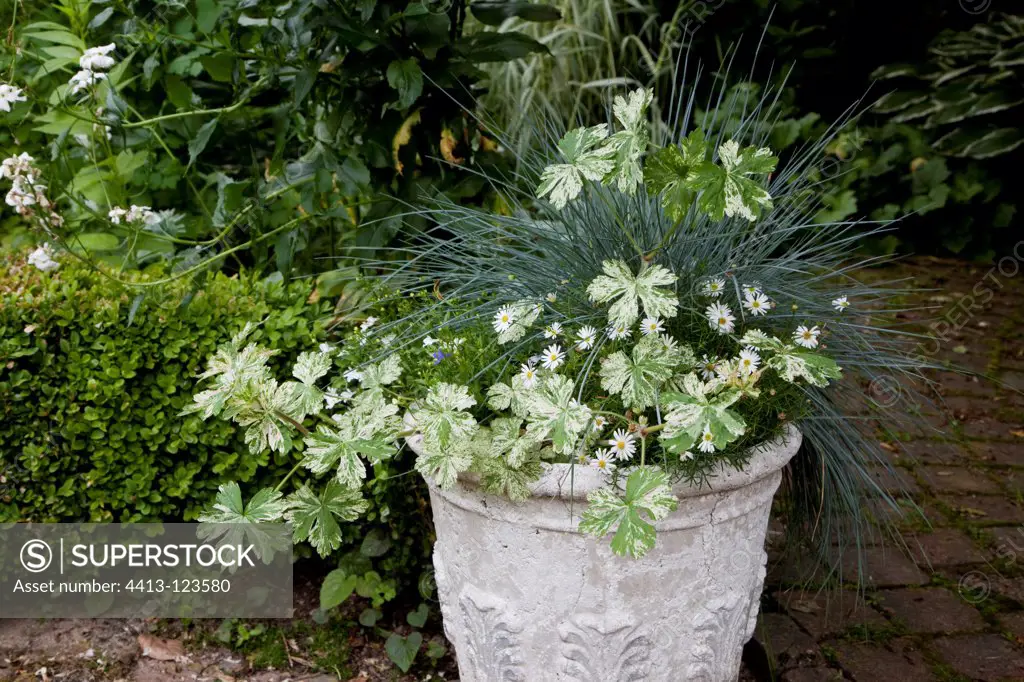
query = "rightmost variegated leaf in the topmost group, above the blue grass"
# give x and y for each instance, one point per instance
(728, 190)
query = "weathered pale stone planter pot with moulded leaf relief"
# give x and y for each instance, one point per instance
(528, 599)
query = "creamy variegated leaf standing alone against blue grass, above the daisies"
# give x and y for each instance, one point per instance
(647, 288)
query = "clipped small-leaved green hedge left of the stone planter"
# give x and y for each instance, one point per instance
(93, 378)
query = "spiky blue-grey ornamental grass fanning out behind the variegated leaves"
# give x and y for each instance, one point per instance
(479, 255)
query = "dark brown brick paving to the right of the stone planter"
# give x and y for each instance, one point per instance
(949, 606)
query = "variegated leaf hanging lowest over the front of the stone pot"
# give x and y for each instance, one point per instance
(648, 498)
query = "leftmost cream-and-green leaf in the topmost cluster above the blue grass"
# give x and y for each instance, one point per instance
(584, 160)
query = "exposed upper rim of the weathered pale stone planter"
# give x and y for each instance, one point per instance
(573, 483)
